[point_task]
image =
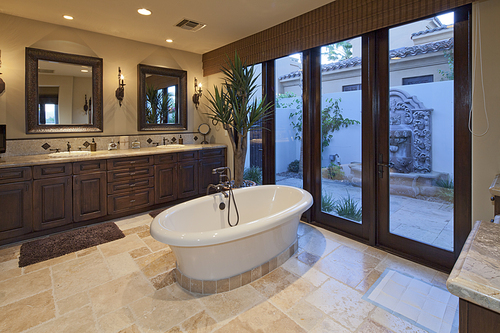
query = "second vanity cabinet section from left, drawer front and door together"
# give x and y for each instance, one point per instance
(52, 195)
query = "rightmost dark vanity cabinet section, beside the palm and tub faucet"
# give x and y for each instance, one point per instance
(209, 160)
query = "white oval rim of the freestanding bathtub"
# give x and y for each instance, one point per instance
(218, 236)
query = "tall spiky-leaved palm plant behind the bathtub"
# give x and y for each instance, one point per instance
(235, 106)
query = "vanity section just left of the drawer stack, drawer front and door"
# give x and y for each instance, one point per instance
(89, 190)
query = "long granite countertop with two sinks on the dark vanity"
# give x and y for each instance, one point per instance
(17, 161)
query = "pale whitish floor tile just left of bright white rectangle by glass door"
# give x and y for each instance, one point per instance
(346, 306)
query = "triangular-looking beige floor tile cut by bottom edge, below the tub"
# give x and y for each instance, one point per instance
(270, 319)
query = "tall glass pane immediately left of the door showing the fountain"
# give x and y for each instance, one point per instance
(341, 129)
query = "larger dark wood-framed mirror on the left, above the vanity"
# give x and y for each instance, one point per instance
(63, 92)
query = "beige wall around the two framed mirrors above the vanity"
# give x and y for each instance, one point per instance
(18, 33)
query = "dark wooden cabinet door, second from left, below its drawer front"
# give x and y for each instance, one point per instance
(52, 202)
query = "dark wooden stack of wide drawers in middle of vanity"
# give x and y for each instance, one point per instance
(130, 184)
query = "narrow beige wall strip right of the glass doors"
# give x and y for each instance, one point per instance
(485, 149)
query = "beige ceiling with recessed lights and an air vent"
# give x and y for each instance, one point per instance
(227, 21)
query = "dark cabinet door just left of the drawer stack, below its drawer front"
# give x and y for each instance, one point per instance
(89, 196)
